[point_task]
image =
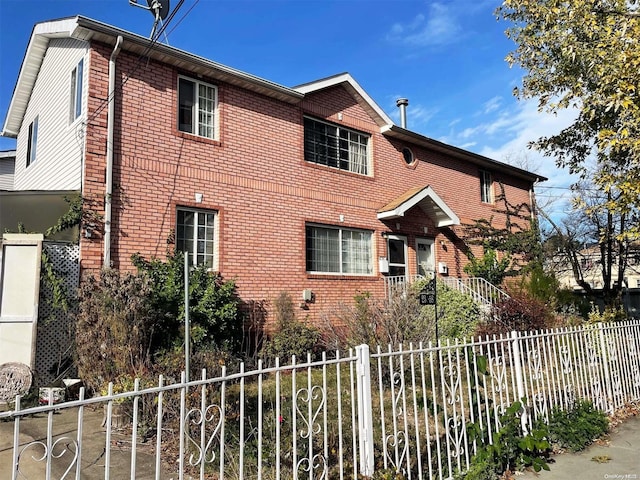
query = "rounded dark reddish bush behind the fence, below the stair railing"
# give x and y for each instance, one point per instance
(520, 312)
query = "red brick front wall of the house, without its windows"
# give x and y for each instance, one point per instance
(255, 176)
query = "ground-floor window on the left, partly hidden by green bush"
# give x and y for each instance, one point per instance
(195, 234)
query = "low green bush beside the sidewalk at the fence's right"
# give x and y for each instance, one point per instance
(575, 428)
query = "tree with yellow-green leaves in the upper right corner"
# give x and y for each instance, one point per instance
(585, 55)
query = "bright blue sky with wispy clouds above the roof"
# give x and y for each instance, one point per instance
(447, 57)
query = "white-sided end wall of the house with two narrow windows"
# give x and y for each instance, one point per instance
(50, 144)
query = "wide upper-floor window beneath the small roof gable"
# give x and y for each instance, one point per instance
(336, 147)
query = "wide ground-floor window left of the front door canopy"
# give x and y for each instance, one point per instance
(338, 250)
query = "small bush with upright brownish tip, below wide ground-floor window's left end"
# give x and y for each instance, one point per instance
(291, 337)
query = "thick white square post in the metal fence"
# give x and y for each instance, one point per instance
(365, 416)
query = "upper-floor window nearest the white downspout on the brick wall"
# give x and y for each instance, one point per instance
(197, 103)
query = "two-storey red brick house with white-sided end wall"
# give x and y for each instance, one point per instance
(311, 190)
